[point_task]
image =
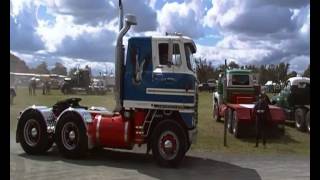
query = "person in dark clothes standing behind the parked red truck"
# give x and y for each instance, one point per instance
(261, 113)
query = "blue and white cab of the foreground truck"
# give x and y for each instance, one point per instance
(159, 75)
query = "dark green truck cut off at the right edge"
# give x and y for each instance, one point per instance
(295, 100)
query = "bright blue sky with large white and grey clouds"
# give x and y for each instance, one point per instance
(83, 32)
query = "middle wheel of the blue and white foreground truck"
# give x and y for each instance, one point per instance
(70, 137)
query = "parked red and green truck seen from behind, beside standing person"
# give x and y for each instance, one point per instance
(234, 100)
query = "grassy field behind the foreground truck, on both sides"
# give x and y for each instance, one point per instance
(210, 133)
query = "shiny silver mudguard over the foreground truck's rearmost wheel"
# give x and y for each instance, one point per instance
(47, 116)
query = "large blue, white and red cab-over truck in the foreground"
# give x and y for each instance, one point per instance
(156, 104)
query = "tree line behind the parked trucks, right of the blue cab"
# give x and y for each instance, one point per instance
(272, 72)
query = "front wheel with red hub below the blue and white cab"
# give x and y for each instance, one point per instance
(172, 133)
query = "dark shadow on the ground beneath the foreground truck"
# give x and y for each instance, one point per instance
(190, 168)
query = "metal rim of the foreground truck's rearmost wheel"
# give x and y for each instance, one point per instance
(32, 132)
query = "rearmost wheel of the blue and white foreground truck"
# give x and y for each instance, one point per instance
(33, 135)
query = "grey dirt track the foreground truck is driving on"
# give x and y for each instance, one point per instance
(111, 164)
